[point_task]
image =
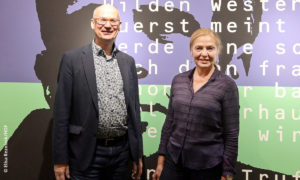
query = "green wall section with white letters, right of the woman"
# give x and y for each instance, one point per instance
(264, 113)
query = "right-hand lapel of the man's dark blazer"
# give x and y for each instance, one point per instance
(123, 66)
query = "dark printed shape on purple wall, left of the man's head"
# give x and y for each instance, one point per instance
(60, 32)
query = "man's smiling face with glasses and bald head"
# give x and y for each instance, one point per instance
(106, 24)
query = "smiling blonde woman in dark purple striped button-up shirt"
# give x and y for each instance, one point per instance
(199, 139)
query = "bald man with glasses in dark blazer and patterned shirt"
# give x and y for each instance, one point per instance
(97, 126)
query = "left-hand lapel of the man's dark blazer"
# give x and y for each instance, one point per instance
(89, 69)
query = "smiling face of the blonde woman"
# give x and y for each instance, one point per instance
(204, 51)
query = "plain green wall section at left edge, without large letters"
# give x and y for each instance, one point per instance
(17, 100)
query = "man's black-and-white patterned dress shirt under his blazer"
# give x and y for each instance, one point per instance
(111, 99)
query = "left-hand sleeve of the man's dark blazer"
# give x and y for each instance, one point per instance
(62, 112)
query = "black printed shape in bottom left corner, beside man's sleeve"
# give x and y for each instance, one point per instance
(29, 149)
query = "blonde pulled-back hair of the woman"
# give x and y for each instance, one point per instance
(204, 32)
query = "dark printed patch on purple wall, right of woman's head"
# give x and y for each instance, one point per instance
(241, 36)
